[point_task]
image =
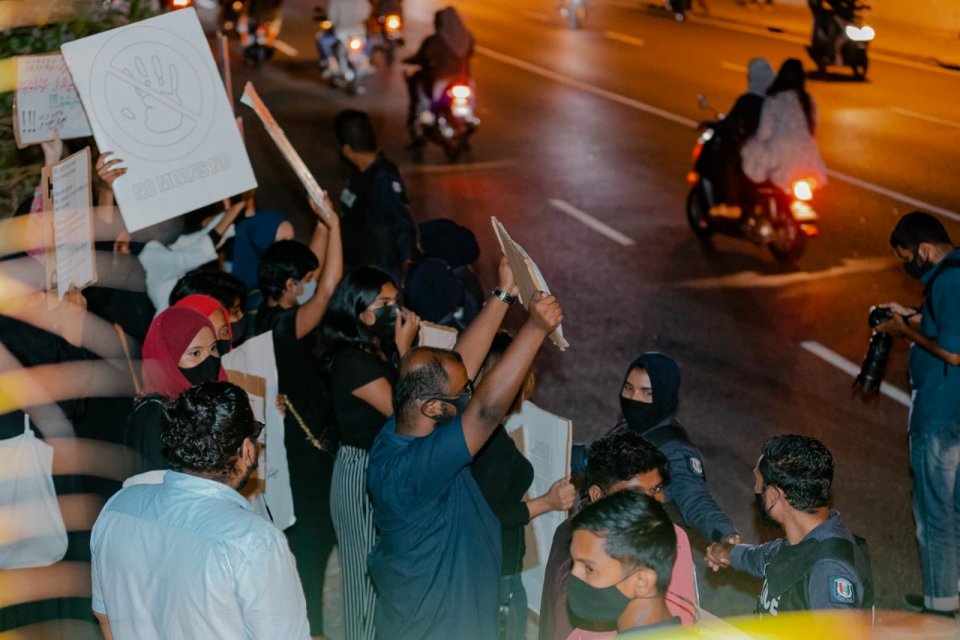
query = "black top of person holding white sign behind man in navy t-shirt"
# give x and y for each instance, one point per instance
(504, 475)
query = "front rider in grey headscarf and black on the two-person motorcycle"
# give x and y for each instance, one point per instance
(723, 166)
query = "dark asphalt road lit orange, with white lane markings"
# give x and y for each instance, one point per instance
(600, 120)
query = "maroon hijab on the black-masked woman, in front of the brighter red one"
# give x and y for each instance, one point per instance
(168, 337)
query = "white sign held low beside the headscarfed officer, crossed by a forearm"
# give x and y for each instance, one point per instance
(545, 440)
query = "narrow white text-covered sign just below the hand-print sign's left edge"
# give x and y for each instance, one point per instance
(73, 223)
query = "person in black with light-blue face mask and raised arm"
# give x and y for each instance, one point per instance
(297, 283)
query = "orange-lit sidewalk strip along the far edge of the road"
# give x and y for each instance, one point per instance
(926, 46)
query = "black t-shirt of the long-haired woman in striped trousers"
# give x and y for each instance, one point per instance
(358, 422)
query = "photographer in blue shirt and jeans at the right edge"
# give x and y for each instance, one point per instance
(921, 241)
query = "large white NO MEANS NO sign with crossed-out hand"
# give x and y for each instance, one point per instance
(154, 98)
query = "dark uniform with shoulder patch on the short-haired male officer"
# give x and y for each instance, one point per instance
(828, 569)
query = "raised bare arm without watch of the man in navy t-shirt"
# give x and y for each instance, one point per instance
(493, 398)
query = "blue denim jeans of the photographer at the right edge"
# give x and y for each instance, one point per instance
(935, 462)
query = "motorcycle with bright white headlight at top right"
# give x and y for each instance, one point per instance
(840, 38)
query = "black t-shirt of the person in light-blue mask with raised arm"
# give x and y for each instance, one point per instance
(298, 373)
